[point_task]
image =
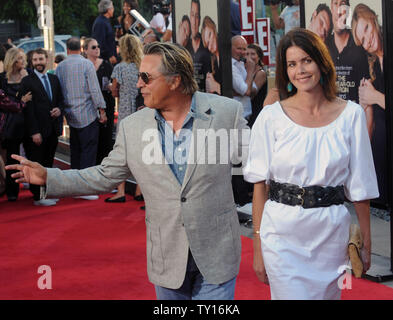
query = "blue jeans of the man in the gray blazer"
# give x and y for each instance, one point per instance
(195, 287)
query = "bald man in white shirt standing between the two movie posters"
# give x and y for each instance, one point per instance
(242, 75)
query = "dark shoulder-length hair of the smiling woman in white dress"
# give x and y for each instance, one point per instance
(314, 46)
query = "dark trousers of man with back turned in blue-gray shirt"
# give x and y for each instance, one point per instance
(83, 146)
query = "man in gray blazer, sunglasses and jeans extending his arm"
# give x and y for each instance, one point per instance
(180, 150)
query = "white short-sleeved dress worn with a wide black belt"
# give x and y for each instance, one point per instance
(303, 249)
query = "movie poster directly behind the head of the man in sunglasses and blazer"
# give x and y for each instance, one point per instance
(197, 29)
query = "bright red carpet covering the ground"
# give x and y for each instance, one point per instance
(96, 250)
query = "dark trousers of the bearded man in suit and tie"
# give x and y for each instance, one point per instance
(44, 154)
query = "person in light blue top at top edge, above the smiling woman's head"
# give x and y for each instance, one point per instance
(290, 16)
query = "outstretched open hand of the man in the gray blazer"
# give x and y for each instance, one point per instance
(28, 171)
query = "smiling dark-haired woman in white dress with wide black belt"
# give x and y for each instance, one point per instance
(319, 145)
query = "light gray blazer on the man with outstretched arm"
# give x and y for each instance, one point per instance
(200, 215)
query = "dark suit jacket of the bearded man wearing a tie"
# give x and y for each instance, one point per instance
(37, 111)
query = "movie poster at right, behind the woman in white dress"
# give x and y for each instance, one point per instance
(352, 31)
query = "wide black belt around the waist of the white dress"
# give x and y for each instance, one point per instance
(307, 197)
